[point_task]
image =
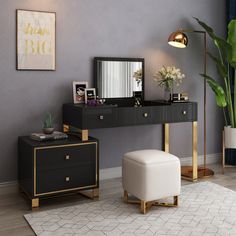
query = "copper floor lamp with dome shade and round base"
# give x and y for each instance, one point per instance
(180, 40)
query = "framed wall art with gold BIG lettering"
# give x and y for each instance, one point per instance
(35, 40)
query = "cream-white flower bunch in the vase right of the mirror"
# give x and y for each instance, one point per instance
(168, 76)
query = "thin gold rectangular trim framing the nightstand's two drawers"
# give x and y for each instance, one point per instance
(64, 190)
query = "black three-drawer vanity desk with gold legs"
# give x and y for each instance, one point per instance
(85, 117)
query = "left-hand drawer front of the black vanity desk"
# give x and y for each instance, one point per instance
(99, 118)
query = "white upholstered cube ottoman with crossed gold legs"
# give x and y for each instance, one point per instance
(150, 175)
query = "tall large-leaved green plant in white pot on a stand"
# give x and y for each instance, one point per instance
(226, 66)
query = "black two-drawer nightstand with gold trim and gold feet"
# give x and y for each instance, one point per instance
(53, 167)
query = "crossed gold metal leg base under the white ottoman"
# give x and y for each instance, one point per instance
(146, 205)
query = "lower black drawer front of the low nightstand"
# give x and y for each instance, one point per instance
(80, 176)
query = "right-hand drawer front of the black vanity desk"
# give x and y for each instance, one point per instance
(180, 112)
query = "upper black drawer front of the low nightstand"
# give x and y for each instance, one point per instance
(66, 157)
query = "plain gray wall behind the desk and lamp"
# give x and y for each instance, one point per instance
(123, 28)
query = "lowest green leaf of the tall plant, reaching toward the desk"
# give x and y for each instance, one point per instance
(217, 89)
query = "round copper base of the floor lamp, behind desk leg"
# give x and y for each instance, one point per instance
(187, 172)
